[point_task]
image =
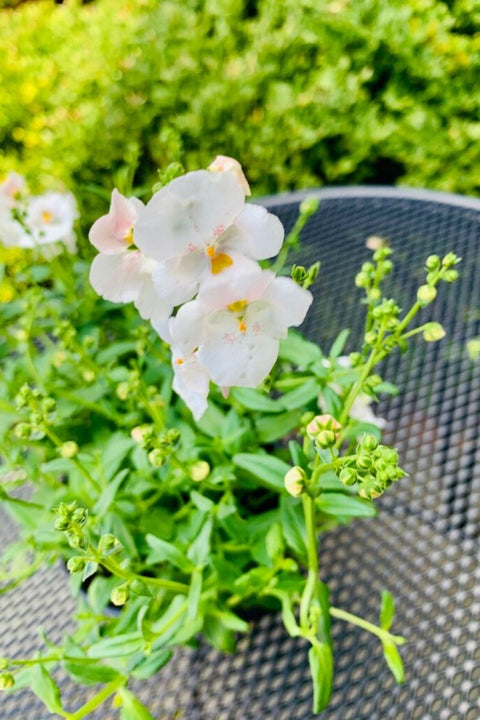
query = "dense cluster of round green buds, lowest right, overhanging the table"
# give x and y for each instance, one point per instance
(374, 468)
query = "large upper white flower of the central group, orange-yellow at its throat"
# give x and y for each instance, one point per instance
(196, 227)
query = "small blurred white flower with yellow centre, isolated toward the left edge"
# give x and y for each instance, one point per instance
(50, 218)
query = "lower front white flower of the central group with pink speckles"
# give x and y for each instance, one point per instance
(234, 326)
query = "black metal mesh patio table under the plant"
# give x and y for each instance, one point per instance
(423, 546)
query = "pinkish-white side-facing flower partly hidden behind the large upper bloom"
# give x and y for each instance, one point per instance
(120, 273)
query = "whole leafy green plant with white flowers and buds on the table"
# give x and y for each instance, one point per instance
(178, 443)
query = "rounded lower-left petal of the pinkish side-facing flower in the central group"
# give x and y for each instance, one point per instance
(117, 278)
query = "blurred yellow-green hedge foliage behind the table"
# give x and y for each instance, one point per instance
(303, 92)
